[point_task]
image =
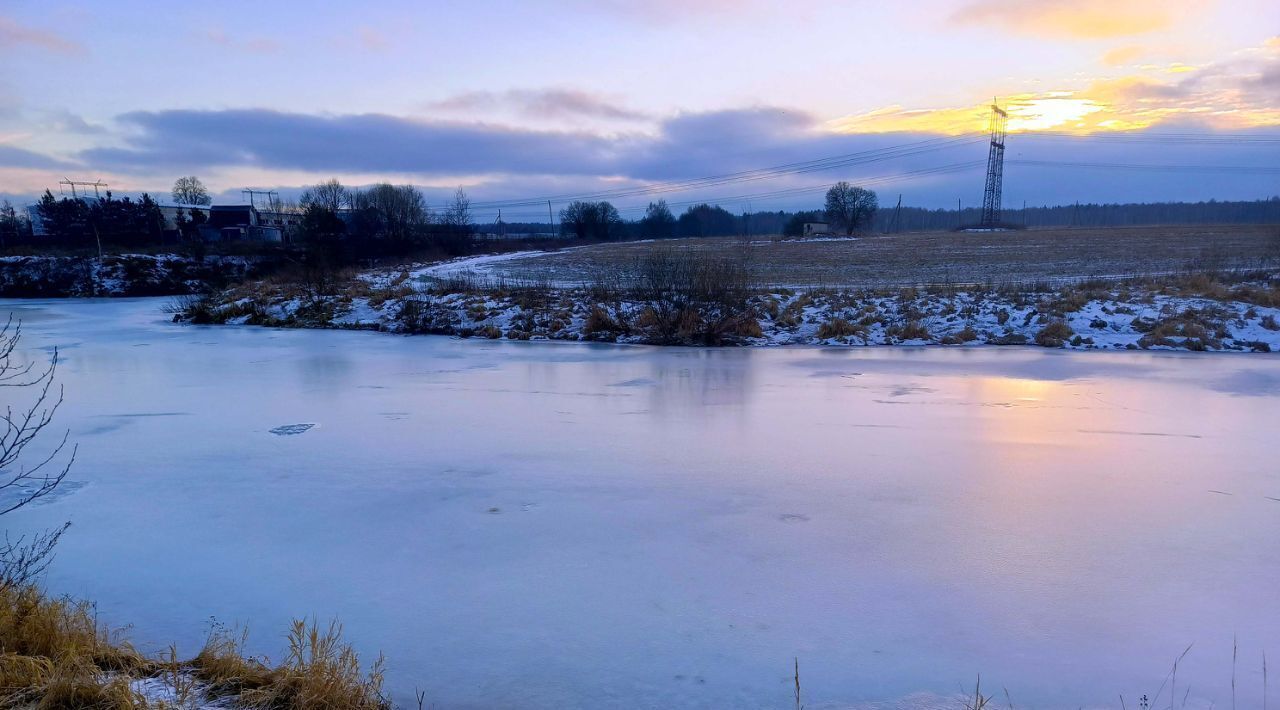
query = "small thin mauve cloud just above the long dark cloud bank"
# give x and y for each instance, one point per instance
(543, 104)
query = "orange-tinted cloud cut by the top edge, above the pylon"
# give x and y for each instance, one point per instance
(1077, 19)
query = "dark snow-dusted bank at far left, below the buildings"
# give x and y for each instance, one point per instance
(121, 276)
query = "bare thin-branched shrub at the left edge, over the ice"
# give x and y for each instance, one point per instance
(21, 484)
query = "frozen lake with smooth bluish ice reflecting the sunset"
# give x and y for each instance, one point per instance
(524, 525)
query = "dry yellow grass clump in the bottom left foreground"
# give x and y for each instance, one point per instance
(54, 656)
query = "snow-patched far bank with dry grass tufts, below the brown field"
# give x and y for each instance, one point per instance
(1194, 312)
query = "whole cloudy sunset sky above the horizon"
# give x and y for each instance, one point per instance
(1109, 100)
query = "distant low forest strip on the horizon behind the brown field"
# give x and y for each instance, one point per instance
(716, 222)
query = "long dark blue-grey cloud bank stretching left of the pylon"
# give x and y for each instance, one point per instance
(684, 146)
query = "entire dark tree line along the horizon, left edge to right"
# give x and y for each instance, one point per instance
(396, 221)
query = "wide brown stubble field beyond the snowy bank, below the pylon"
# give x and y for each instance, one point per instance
(950, 262)
